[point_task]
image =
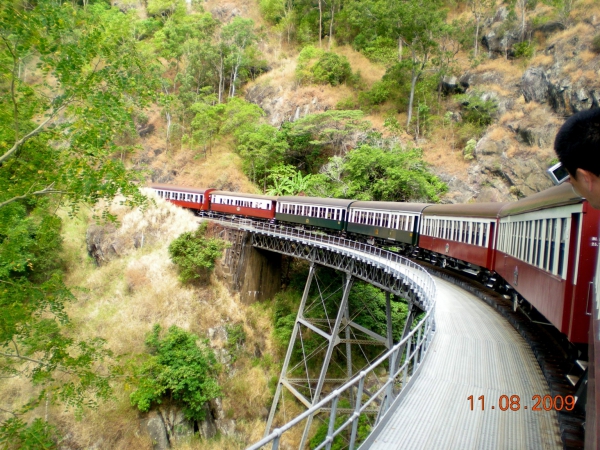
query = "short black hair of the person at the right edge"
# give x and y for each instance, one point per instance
(577, 143)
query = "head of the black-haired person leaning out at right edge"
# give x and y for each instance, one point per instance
(577, 146)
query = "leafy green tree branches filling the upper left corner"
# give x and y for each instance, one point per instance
(73, 104)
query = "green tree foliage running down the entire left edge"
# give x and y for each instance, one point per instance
(71, 78)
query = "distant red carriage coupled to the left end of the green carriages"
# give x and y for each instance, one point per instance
(248, 205)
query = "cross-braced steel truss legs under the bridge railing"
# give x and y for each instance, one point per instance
(332, 332)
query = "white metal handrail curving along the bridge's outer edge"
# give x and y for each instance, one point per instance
(407, 354)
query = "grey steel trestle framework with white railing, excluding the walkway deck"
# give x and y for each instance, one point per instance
(367, 393)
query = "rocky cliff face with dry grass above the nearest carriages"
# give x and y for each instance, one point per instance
(513, 155)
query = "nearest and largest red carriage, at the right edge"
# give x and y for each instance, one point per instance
(546, 251)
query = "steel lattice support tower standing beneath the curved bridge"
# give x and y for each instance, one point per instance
(328, 318)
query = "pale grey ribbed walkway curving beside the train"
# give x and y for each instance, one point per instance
(475, 352)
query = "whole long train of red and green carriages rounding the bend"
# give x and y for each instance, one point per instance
(540, 250)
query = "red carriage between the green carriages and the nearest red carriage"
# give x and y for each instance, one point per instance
(460, 234)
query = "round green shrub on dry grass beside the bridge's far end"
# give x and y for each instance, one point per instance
(195, 254)
